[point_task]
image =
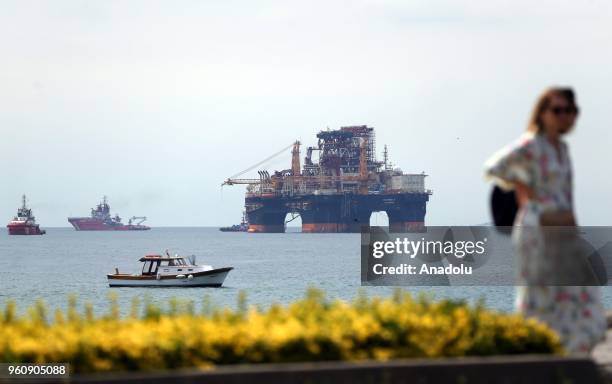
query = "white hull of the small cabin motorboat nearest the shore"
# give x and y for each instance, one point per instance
(211, 278)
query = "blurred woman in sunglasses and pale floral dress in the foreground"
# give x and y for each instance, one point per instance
(538, 169)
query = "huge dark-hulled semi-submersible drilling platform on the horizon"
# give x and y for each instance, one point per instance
(339, 192)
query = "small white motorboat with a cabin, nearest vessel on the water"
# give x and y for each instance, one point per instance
(170, 271)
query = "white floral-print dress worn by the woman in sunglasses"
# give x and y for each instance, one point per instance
(575, 312)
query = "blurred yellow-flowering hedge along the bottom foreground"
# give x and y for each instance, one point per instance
(312, 329)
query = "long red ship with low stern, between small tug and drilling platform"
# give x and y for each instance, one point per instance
(101, 220)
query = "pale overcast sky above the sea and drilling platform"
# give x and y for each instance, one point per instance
(155, 103)
